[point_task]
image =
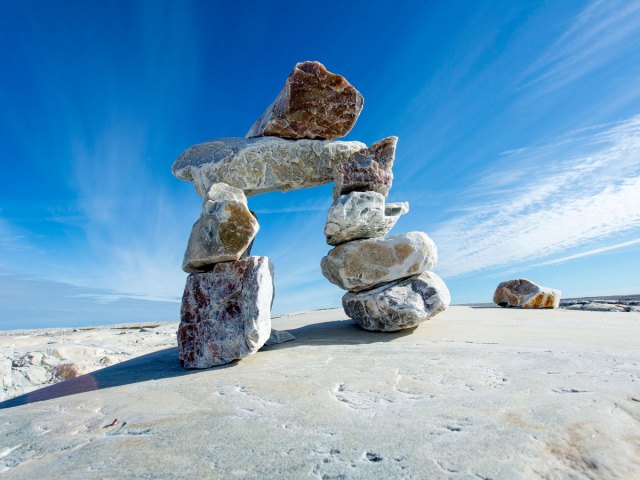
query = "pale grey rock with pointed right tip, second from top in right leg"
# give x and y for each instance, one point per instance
(361, 215)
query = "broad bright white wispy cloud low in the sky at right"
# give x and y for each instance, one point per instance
(582, 188)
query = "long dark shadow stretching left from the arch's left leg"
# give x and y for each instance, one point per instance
(153, 366)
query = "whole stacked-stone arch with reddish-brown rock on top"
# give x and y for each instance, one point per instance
(226, 305)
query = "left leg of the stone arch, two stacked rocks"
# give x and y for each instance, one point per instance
(226, 306)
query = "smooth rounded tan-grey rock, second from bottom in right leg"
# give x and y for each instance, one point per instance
(364, 264)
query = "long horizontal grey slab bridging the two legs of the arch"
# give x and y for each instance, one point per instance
(265, 164)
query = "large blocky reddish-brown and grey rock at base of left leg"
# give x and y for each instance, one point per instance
(225, 313)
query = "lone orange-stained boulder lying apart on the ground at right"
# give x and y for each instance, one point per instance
(525, 294)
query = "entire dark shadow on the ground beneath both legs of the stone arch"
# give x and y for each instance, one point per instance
(164, 363)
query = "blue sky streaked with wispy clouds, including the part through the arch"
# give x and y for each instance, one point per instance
(518, 126)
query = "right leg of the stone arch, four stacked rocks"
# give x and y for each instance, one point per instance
(389, 282)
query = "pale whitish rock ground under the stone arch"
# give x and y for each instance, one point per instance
(475, 393)
